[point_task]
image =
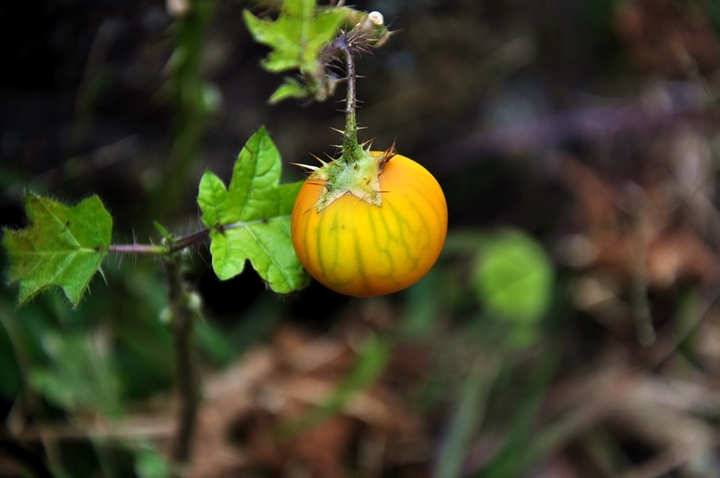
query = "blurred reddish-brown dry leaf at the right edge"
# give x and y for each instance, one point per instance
(628, 234)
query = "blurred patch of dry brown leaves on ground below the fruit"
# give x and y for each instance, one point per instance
(273, 386)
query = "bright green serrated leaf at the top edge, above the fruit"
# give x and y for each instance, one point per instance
(297, 36)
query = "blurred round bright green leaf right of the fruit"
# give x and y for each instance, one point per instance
(514, 277)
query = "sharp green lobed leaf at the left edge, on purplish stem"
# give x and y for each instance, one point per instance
(63, 246)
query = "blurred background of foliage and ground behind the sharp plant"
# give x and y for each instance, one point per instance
(577, 145)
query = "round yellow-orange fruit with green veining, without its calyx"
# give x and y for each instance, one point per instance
(356, 248)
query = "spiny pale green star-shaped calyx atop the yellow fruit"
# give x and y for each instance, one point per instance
(355, 172)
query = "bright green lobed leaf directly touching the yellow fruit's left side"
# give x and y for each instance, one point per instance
(251, 218)
